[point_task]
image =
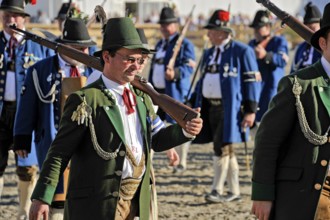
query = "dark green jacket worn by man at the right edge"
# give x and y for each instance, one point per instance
(288, 169)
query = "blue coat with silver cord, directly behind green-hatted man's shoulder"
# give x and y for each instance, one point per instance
(36, 112)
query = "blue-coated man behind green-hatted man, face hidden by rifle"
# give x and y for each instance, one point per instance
(41, 101)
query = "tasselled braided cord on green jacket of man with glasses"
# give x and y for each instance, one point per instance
(83, 115)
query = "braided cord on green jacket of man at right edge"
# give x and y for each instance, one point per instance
(307, 131)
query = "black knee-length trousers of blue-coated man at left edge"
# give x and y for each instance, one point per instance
(6, 133)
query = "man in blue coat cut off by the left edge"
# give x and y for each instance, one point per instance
(16, 55)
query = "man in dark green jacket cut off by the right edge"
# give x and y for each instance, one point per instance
(292, 148)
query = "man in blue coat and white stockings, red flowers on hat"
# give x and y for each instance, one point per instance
(228, 93)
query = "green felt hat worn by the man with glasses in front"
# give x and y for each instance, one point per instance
(120, 32)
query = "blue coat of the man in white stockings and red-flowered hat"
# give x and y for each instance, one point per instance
(240, 88)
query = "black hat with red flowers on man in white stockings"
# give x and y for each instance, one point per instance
(219, 21)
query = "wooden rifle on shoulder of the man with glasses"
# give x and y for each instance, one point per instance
(178, 111)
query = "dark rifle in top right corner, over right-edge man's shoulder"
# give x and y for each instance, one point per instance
(301, 29)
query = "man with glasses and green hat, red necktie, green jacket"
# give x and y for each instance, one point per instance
(106, 132)
